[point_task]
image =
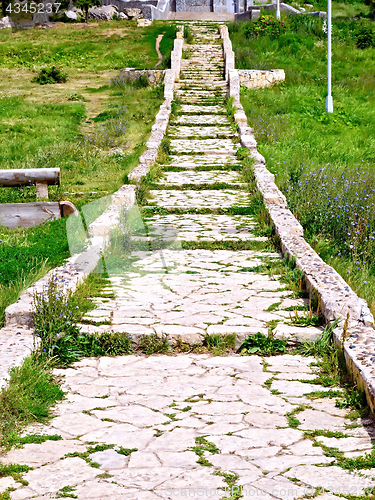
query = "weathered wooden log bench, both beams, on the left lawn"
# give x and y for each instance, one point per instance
(32, 214)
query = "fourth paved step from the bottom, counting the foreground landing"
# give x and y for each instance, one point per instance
(205, 198)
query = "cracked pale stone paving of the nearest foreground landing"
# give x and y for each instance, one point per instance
(162, 406)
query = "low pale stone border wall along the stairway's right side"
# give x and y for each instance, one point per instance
(338, 300)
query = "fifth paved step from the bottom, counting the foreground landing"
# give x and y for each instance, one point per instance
(201, 177)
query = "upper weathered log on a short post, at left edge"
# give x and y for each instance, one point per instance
(39, 177)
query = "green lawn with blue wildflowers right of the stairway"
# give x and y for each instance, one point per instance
(324, 163)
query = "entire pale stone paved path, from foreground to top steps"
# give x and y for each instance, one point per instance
(195, 426)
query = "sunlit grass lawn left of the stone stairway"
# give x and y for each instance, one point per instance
(92, 130)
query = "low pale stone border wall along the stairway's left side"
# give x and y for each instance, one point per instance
(16, 338)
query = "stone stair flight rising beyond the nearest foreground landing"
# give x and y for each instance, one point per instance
(204, 279)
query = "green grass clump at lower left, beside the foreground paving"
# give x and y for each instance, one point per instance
(27, 399)
